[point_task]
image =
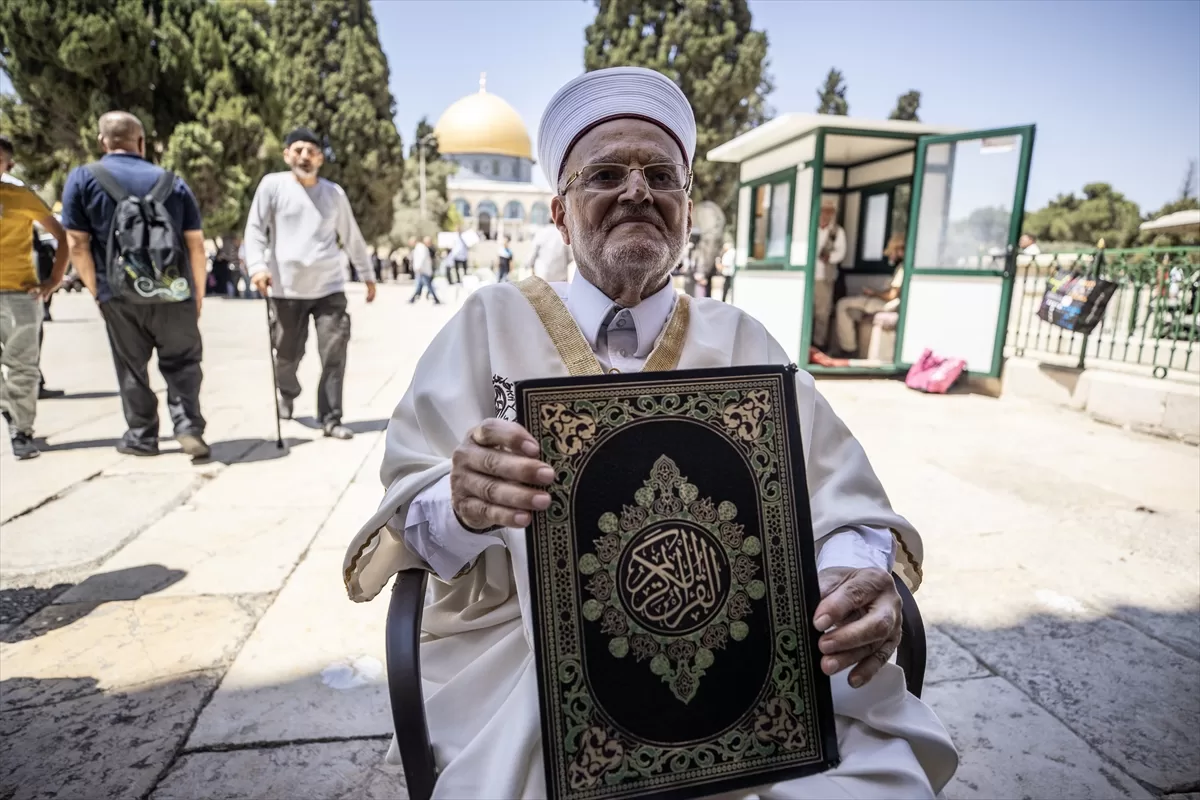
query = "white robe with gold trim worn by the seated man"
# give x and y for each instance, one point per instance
(478, 666)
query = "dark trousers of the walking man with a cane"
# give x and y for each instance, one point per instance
(290, 332)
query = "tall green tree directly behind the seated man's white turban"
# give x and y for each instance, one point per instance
(710, 50)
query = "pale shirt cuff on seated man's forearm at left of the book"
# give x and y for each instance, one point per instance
(433, 532)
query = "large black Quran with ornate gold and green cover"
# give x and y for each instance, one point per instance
(673, 584)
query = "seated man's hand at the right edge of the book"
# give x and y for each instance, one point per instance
(863, 606)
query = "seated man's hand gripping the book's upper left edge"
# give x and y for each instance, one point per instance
(495, 474)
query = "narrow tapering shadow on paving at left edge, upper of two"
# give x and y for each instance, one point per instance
(32, 613)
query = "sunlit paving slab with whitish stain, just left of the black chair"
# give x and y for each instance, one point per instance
(314, 667)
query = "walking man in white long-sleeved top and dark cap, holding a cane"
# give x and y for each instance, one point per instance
(298, 238)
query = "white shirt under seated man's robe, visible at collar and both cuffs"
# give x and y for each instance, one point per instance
(621, 339)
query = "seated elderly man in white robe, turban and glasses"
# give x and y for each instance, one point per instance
(464, 482)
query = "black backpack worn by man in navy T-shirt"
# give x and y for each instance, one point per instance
(146, 258)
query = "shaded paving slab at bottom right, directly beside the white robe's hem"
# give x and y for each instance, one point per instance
(1011, 748)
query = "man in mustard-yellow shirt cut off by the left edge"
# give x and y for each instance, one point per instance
(22, 298)
